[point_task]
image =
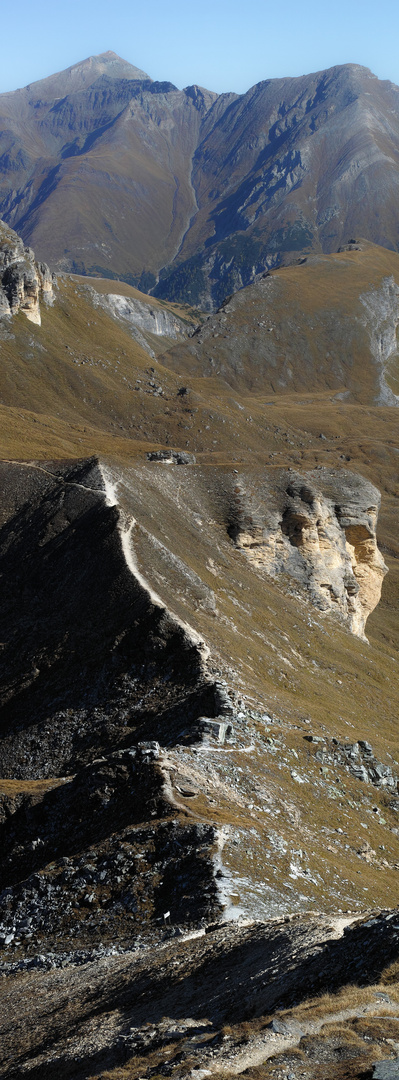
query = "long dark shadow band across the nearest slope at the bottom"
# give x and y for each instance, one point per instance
(245, 988)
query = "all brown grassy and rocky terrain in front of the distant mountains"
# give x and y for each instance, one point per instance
(199, 678)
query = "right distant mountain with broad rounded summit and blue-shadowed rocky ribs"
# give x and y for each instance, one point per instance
(292, 166)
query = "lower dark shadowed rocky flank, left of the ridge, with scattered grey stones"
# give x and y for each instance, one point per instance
(102, 857)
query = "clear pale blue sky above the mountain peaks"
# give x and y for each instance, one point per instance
(222, 45)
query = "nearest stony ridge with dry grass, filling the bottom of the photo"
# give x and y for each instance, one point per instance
(179, 1010)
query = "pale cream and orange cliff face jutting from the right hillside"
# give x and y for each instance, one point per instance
(320, 531)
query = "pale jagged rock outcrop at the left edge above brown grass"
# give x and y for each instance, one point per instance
(23, 281)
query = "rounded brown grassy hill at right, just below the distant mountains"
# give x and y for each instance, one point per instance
(327, 323)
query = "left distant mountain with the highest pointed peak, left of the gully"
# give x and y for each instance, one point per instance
(97, 168)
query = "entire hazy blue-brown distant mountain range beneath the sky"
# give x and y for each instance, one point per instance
(190, 194)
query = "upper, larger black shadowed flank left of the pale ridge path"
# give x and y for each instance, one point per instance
(91, 661)
